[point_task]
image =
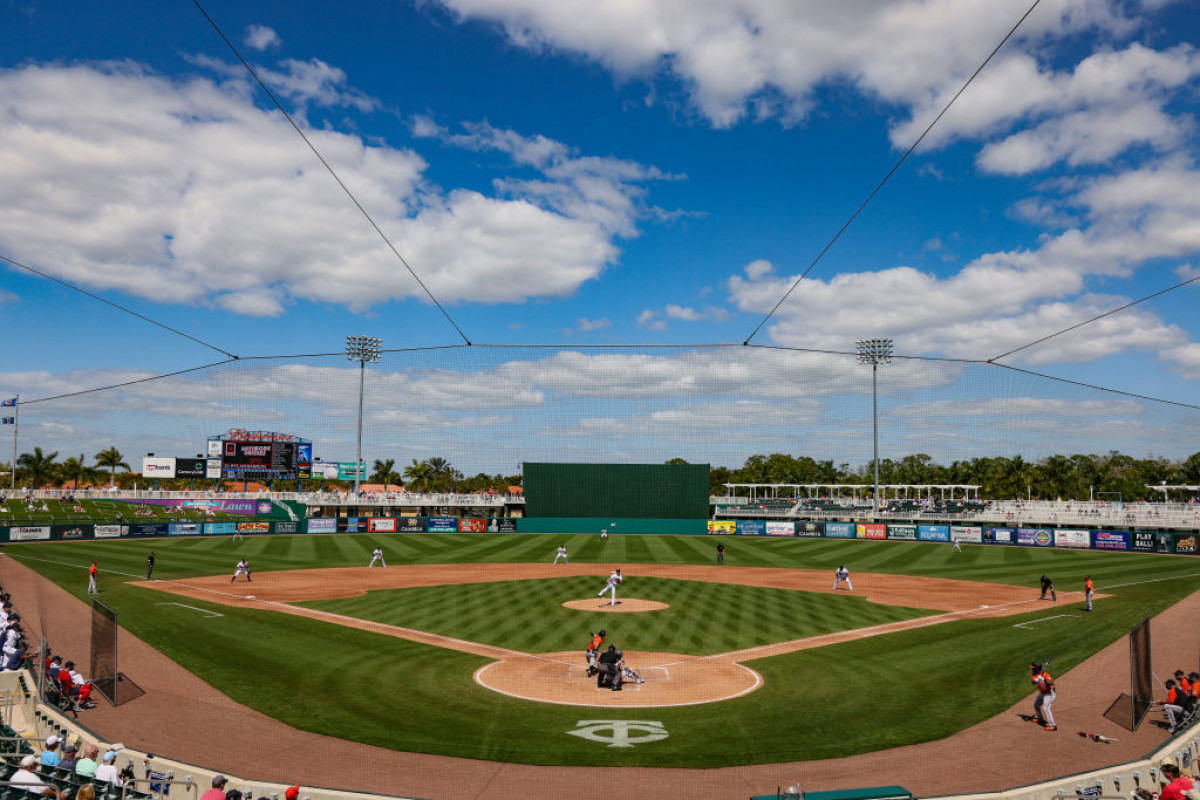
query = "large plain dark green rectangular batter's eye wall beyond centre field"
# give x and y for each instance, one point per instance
(617, 491)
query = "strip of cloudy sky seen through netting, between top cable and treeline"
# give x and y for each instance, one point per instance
(491, 408)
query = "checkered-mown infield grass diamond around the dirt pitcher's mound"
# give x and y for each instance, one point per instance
(703, 619)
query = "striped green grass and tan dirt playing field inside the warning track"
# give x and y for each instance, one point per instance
(400, 658)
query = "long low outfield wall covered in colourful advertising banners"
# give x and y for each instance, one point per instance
(1057, 538)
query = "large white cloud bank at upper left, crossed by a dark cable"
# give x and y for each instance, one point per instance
(185, 193)
